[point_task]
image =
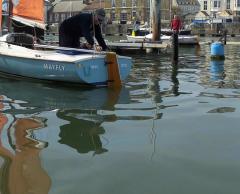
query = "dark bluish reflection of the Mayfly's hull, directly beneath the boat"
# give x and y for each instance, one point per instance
(27, 97)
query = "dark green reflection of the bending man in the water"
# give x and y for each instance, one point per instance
(82, 134)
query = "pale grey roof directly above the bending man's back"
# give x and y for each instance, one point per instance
(69, 6)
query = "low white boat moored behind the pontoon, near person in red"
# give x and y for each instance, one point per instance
(183, 39)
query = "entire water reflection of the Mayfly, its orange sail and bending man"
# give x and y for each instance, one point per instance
(79, 109)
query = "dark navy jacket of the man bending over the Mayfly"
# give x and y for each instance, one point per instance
(81, 25)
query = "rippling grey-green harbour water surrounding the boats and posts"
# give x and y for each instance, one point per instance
(171, 129)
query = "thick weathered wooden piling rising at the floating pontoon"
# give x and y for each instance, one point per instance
(156, 19)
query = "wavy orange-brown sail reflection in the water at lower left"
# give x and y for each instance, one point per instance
(20, 167)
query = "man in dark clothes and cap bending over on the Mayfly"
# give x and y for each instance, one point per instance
(85, 25)
